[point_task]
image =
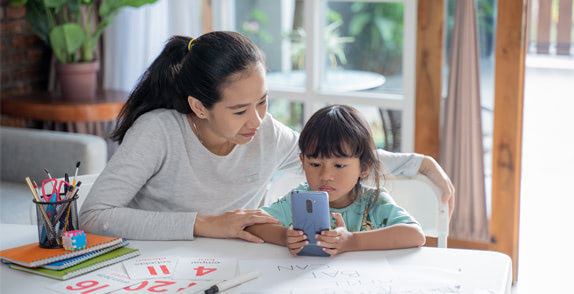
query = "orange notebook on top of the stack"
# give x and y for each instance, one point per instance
(32, 255)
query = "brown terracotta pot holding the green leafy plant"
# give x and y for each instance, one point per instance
(78, 81)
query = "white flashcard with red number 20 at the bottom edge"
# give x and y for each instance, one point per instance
(167, 286)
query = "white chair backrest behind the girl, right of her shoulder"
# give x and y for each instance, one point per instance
(422, 199)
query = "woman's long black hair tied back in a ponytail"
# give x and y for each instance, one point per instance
(200, 69)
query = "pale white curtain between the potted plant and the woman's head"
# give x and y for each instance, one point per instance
(138, 35)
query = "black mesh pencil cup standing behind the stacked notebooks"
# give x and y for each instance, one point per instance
(55, 218)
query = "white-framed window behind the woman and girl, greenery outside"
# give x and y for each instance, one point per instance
(319, 52)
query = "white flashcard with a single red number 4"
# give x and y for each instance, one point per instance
(205, 269)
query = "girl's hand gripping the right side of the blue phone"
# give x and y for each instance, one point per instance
(335, 241)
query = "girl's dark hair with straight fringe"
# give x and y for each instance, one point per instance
(342, 131)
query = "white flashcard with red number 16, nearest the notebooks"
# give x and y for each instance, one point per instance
(96, 283)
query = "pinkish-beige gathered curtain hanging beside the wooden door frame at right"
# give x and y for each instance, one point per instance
(461, 147)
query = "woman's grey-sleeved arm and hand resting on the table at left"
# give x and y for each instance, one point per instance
(139, 163)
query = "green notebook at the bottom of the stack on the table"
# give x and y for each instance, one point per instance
(95, 263)
